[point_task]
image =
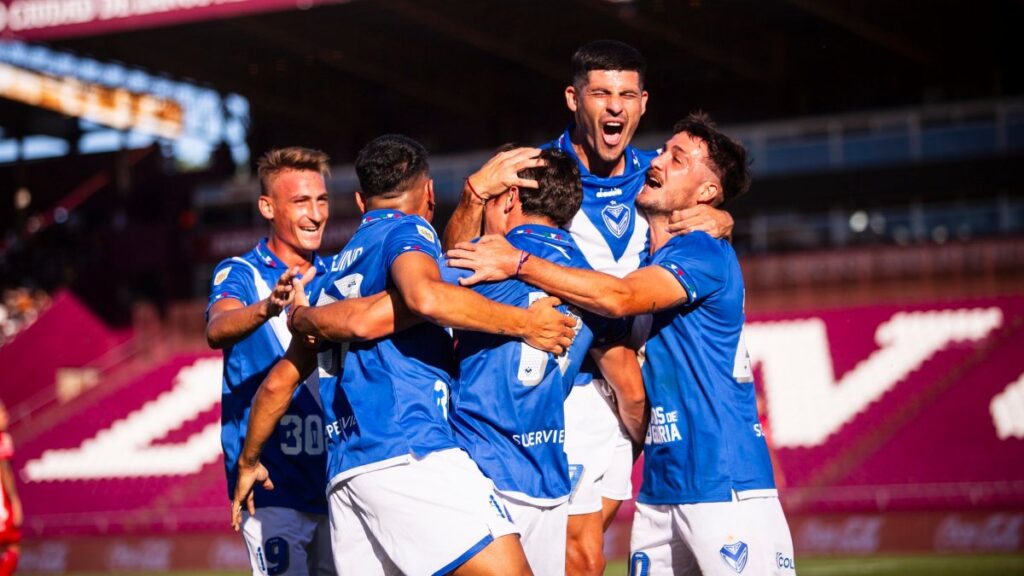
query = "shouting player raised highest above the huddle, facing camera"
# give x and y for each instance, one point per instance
(608, 99)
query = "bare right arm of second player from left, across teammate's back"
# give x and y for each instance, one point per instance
(418, 280)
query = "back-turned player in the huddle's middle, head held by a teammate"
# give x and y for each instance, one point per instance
(507, 405)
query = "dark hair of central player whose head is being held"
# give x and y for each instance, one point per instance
(560, 191)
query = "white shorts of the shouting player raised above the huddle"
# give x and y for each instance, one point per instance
(599, 449)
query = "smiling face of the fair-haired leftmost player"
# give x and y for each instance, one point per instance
(300, 207)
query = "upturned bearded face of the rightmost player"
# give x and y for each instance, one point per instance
(677, 177)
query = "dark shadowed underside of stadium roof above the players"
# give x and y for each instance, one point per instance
(464, 74)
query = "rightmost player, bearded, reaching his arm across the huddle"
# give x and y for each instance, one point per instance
(708, 505)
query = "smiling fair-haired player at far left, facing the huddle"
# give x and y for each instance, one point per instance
(248, 295)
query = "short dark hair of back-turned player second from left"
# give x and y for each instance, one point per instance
(389, 164)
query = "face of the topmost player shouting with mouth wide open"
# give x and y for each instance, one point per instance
(608, 111)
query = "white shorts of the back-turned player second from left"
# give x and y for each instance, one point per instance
(425, 517)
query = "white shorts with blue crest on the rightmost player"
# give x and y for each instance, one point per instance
(749, 538)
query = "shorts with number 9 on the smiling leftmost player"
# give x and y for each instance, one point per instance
(286, 543)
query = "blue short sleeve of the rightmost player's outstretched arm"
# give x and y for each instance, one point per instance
(696, 262)
